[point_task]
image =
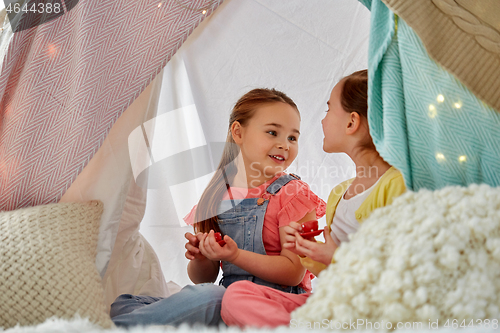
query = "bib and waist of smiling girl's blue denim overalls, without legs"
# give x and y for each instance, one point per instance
(243, 220)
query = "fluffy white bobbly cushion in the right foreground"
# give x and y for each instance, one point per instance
(430, 256)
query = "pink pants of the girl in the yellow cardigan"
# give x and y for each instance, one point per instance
(248, 304)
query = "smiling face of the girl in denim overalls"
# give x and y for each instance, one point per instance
(268, 142)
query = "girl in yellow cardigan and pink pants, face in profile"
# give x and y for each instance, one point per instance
(376, 184)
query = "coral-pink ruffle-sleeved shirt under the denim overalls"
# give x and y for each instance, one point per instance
(291, 203)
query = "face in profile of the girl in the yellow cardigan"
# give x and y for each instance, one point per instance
(335, 123)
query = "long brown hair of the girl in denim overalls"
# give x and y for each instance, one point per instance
(243, 111)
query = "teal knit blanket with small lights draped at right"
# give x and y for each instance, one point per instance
(424, 121)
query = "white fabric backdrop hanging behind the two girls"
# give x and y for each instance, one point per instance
(301, 47)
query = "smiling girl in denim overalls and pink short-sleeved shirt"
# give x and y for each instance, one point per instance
(250, 200)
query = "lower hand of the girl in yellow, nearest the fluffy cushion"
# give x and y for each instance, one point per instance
(322, 252)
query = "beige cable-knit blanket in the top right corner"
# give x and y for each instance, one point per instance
(461, 35)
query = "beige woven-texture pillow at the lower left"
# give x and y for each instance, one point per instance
(47, 264)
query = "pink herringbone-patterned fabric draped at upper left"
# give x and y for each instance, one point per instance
(65, 82)
